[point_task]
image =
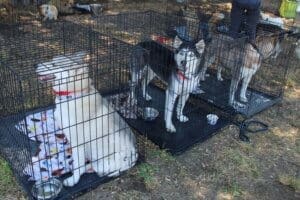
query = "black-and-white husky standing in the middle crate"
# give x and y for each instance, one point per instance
(180, 70)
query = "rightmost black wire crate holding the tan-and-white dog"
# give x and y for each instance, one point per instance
(246, 78)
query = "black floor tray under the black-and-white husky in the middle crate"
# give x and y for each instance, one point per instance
(187, 134)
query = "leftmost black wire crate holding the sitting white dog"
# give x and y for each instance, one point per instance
(65, 102)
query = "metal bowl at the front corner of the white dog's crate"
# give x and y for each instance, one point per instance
(48, 189)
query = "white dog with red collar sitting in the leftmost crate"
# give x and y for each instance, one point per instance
(95, 131)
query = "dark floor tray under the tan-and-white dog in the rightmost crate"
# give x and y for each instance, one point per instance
(217, 93)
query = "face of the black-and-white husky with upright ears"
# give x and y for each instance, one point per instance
(188, 55)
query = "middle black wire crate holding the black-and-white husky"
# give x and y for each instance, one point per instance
(174, 123)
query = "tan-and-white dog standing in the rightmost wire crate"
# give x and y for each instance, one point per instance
(243, 60)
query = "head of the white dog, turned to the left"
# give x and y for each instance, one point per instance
(66, 73)
